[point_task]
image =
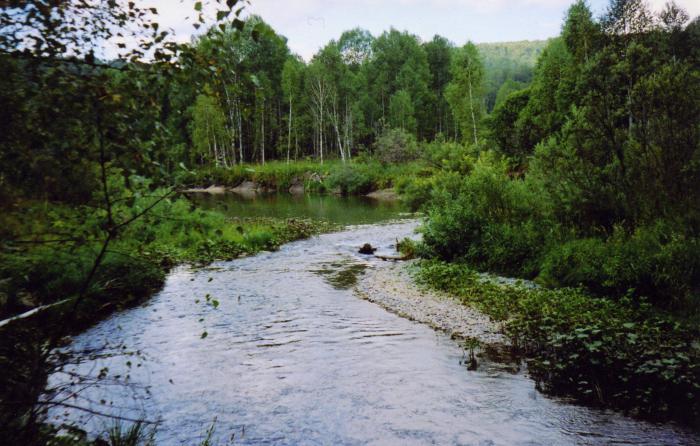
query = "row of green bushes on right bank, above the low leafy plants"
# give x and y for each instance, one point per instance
(495, 222)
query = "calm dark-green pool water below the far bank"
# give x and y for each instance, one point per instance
(342, 210)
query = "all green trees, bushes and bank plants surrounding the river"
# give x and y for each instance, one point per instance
(571, 163)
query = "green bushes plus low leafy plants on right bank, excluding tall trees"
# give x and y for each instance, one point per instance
(614, 321)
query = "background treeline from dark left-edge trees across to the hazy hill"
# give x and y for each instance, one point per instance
(237, 94)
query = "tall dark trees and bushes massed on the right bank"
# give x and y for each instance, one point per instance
(589, 176)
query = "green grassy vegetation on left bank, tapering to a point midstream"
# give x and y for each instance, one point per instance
(174, 232)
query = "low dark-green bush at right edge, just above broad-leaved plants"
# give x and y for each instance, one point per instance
(656, 261)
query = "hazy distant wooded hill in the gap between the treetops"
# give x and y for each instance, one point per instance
(509, 67)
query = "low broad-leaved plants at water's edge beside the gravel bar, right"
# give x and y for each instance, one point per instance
(617, 353)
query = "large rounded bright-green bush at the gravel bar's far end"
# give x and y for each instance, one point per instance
(488, 220)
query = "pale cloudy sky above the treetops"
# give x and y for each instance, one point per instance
(309, 24)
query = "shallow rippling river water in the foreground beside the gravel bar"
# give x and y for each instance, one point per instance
(292, 356)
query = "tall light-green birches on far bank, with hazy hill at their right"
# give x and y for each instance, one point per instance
(260, 102)
